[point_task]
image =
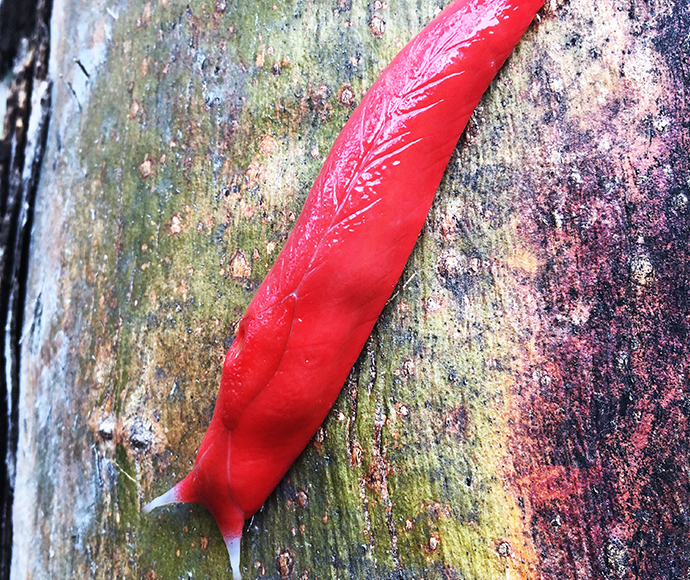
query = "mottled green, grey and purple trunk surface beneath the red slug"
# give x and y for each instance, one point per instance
(521, 409)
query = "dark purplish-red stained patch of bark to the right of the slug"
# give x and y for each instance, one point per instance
(602, 449)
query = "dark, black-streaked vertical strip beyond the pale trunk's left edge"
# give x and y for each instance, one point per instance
(21, 149)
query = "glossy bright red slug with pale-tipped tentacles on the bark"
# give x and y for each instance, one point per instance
(314, 311)
